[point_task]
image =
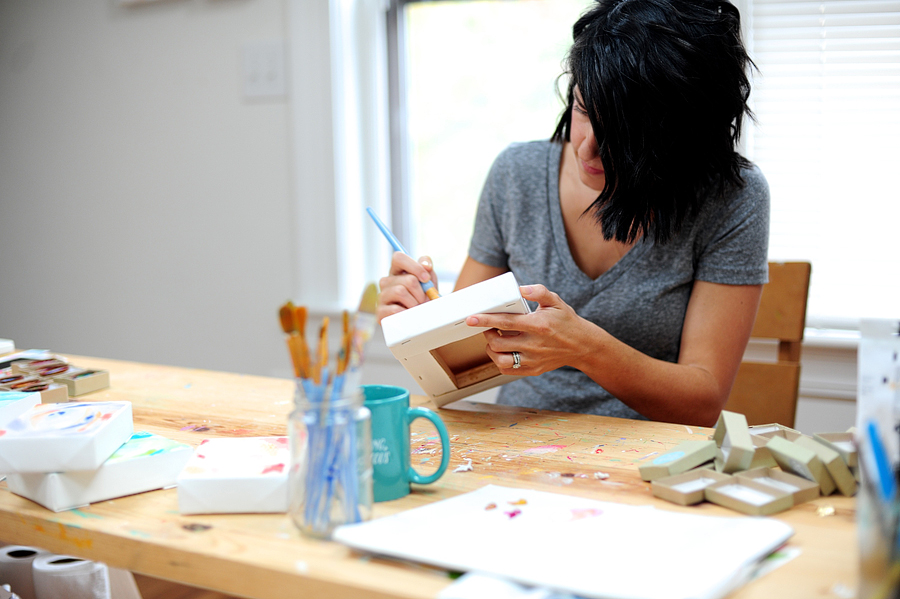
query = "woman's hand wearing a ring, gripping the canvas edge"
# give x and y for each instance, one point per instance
(550, 337)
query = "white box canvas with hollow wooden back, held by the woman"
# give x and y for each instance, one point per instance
(445, 356)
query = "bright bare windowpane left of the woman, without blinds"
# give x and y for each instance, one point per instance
(478, 76)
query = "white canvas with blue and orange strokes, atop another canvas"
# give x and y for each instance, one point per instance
(61, 437)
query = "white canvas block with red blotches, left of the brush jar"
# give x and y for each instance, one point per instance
(236, 476)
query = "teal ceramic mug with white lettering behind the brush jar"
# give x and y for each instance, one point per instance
(391, 417)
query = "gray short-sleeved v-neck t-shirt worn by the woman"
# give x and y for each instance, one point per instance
(642, 299)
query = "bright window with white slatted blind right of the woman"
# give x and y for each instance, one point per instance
(827, 100)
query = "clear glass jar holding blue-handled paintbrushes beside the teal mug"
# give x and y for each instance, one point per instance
(330, 480)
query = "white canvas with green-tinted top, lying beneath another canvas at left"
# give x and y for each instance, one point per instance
(144, 463)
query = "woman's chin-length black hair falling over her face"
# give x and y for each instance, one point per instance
(665, 86)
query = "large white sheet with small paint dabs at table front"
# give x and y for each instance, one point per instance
(590, 548)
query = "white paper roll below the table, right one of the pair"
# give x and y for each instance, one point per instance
(71, 577)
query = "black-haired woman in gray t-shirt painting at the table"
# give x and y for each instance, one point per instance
(639, 232)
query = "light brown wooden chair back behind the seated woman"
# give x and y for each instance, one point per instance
(767, 391)
